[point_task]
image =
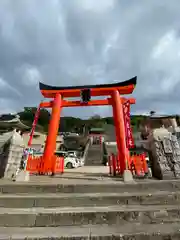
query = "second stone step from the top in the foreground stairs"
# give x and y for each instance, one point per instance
(88, 199)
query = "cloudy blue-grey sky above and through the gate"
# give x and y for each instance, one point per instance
(71, 42)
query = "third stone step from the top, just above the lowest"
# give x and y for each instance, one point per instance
(71, 216)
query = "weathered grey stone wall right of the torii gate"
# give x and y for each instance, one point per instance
(164, 154)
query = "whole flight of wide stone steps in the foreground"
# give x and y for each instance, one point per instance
(114, 210)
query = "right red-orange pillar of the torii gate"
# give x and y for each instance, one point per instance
(119, 129)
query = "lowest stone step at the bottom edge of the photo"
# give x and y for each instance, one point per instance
(103, 232)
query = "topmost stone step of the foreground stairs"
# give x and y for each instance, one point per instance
(91, 187)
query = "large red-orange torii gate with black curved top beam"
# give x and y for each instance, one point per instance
(114, 91)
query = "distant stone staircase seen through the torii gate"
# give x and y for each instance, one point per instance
(94, 156)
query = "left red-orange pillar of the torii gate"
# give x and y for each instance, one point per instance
(50, 145)
